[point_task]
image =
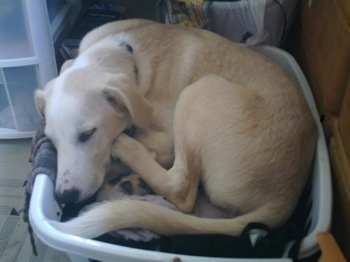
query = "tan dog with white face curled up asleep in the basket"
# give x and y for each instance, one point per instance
(216, 113)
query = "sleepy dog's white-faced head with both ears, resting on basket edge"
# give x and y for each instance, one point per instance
(85, 109)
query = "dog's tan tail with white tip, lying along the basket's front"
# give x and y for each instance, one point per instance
(121, 214)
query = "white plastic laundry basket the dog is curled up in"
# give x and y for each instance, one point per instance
(42, 206)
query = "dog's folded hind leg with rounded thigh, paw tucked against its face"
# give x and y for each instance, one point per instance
(215, 127)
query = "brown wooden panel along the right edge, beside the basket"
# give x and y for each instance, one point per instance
(321, 44)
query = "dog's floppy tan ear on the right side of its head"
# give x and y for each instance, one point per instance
(125, 99)
